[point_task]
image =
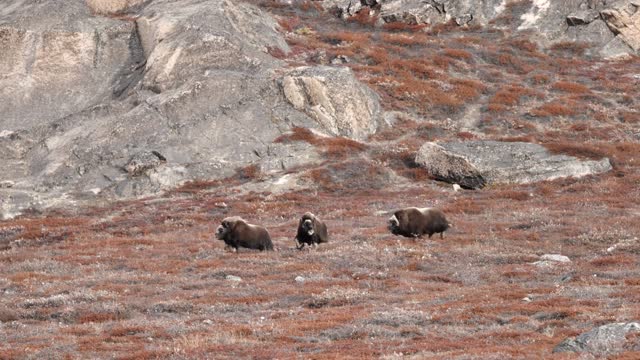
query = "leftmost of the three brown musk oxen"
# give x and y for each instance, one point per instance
(236, 232)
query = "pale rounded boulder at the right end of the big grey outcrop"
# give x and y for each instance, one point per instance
(334, 98)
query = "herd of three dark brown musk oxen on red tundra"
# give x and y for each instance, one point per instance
(409, 222)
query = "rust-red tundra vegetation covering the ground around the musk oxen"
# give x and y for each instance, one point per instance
(146, 279)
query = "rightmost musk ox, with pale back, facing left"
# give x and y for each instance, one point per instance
(415, 222)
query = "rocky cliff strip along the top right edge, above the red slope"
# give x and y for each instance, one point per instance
(612, 26)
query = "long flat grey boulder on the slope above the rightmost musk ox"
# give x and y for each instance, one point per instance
(501, 162)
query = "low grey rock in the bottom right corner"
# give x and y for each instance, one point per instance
(603, 341)
